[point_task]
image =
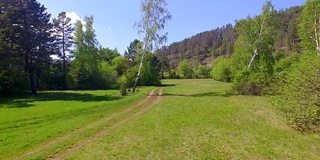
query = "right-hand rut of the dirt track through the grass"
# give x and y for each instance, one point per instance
(83, 143)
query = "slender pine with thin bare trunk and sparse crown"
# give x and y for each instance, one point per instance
(63, 30)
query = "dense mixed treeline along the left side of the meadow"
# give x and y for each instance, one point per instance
(29, 40)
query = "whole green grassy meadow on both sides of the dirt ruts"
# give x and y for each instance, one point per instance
(194, 119)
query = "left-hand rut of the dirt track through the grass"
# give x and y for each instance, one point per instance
(82, 129)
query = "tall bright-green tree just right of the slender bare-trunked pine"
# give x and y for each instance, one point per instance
(85, 68)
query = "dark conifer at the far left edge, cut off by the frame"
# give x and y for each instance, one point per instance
(12, 75)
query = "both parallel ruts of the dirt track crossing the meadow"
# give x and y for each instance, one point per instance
(146, 104)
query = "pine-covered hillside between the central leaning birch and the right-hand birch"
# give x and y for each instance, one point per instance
(202, 46)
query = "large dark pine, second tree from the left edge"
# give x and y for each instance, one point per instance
(36, 39)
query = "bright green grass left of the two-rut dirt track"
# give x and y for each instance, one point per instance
(27, 122)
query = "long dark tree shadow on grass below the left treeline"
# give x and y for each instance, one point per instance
(26, 101)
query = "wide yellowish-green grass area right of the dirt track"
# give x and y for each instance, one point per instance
(197, 120)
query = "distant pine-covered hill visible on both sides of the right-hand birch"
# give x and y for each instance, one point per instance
(204, 47)
